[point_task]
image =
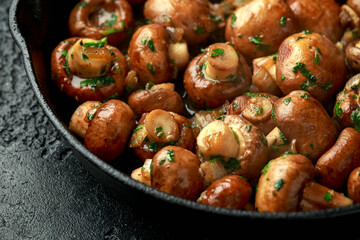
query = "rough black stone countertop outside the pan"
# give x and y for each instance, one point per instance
(46, 193)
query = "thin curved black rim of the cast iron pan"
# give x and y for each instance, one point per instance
(127, 180)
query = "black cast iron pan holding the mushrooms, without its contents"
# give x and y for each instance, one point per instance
(37, 27)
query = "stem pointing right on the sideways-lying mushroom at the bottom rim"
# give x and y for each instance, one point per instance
(316, 197)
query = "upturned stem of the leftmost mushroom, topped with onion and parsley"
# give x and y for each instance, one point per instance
(89, 58)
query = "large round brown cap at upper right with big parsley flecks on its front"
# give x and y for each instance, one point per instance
(310, 62)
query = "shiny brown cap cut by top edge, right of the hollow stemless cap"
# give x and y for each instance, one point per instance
(193, 17)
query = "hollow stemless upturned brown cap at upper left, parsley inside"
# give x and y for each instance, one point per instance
(101, 18)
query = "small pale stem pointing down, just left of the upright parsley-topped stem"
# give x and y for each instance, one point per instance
(179, 55)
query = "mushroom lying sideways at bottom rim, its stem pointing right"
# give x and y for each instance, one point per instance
(287, 185)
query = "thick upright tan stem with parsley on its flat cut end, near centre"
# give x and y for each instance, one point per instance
(222, 61)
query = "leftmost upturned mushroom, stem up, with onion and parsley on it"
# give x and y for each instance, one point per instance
(88, 69)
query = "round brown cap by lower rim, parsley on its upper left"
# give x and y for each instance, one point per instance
(175, 171)
